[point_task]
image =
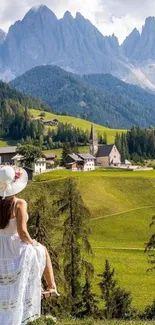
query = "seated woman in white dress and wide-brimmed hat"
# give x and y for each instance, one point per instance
(23, 260)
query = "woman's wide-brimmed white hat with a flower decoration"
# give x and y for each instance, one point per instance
(12, 180)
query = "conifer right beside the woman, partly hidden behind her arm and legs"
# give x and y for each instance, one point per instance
(41, 219)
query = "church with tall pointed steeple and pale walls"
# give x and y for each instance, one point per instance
(106, 155)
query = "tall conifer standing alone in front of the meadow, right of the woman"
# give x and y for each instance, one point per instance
(75, 242)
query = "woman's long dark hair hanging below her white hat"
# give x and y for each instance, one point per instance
(6, 211)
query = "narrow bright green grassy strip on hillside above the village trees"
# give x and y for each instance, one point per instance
(80, 123)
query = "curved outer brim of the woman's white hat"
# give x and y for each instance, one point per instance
(18, 185)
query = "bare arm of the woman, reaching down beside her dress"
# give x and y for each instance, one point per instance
(21, 215)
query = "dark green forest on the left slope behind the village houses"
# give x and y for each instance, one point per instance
(18, 124)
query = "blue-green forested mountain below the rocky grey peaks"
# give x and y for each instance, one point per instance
(102, 102)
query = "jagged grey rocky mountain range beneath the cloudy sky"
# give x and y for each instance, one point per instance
(76, 45)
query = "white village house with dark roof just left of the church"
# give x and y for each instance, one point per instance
(80, 162)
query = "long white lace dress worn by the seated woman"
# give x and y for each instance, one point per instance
(21, 269)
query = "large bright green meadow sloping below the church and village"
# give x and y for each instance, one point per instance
(122, 204)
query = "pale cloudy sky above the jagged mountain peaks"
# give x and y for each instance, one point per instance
(109, 16)
